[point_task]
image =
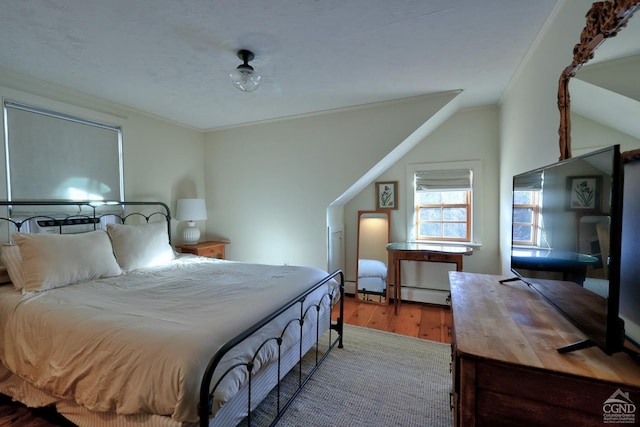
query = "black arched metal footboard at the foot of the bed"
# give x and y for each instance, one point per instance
(207, 389)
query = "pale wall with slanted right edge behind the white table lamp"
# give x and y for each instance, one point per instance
(269, 185)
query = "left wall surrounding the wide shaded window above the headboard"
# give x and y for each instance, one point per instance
(162, 161)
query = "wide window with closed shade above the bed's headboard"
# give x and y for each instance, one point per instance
(57, 156)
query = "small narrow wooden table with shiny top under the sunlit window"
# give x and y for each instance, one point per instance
(418, 251)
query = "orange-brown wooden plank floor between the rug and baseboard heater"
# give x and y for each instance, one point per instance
(432, 322)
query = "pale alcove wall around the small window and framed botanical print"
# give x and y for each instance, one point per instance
(470, 134)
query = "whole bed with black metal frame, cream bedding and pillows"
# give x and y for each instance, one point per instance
(113, 328)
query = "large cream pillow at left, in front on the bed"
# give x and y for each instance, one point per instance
(55, 260)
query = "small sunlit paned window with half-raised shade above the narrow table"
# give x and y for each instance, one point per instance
(443, 205)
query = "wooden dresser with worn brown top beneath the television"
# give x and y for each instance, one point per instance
(506, 370)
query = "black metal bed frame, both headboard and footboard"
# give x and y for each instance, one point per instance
(88, 212)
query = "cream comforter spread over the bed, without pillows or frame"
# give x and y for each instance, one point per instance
(141, 342)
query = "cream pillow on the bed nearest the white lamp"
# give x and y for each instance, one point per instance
(140, 246)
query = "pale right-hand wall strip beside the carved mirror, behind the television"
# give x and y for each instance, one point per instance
(529, 116)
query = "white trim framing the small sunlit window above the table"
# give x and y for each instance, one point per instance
(476, 197)
